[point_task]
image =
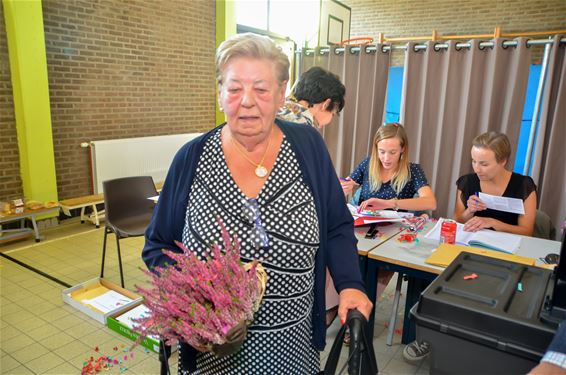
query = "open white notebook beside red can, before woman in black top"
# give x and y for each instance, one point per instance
(485, 238)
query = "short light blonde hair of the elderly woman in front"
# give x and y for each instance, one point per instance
(254, 46)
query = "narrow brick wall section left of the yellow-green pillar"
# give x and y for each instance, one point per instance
(10, 180)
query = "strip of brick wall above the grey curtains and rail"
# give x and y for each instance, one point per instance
(405, 18)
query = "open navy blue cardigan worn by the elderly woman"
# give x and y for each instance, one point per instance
(337, 241)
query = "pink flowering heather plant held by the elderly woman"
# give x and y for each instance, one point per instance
(198, 301)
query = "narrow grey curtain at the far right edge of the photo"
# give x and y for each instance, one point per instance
(548, 168)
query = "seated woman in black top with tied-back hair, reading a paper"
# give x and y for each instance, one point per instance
(490, 154)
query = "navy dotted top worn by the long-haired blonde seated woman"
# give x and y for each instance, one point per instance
(417, 180)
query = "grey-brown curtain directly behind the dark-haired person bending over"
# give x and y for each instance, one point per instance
(365, 75)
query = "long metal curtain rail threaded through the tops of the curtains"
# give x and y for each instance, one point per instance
(437, 46)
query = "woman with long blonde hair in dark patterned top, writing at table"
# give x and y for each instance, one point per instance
(389, 181)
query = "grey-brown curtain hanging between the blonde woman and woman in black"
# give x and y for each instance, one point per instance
(452, 95)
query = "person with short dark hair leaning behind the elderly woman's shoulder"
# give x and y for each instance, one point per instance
(317, 96)
